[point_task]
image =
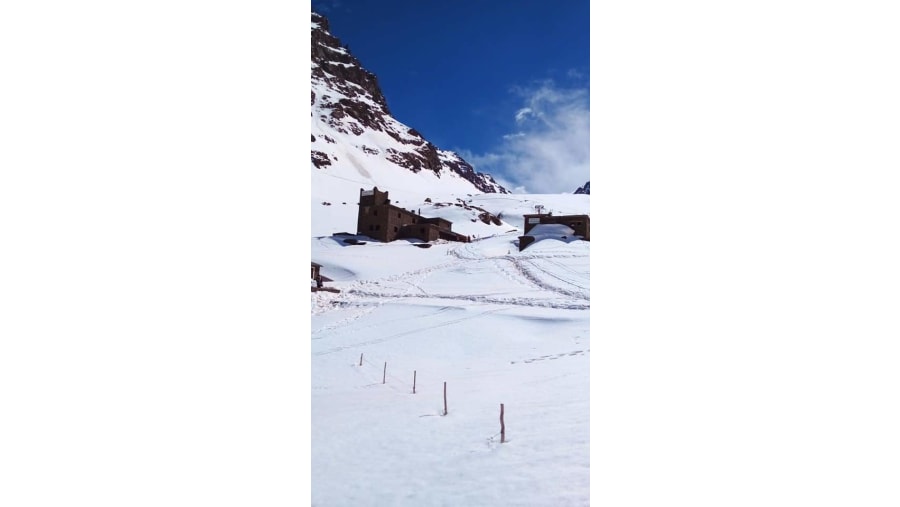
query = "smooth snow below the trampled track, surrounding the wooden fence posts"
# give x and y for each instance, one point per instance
(400, 449)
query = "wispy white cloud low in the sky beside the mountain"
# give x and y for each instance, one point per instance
(550, 151)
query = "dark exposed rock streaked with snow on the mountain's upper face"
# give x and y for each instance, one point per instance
(347, 98)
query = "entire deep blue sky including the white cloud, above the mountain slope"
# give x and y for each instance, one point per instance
(503, 83)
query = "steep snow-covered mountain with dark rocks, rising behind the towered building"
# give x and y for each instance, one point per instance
(356, 141)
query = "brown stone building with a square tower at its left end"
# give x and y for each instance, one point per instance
(381, 220)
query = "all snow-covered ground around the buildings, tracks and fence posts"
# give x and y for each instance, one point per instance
(497, 325)
